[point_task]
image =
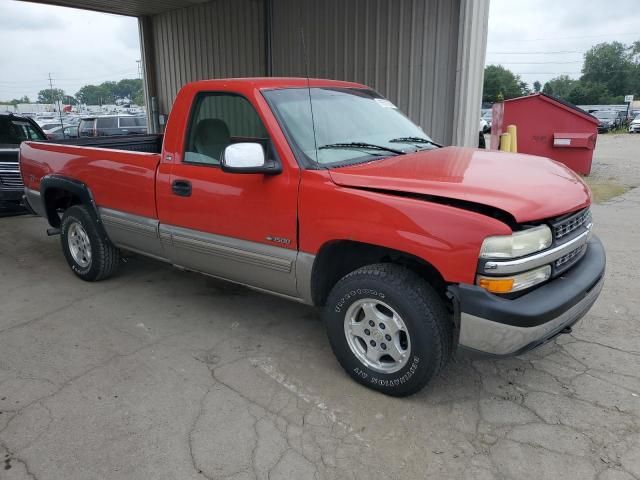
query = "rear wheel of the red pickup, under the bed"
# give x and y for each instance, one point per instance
(104, 256)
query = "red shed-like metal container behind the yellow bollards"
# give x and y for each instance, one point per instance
(549, 127)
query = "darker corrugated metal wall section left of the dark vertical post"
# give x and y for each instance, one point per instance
(222, 38)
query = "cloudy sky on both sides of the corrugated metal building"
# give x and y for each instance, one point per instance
(537, 39)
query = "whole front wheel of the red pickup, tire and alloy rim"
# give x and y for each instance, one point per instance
(388, 328)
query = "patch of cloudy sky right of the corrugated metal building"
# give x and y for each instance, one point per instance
(541, 39)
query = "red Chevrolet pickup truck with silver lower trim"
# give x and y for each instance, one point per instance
(324, 192)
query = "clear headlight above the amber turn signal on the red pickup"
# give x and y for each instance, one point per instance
(517, 244)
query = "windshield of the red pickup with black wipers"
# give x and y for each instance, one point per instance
(351, 125)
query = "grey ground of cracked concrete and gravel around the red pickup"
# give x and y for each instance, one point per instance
(161, 374)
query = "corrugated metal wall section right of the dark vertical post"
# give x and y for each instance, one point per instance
(405, 49)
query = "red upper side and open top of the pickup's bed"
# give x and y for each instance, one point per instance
(120, 171)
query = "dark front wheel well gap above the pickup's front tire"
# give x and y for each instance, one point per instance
(339, 258)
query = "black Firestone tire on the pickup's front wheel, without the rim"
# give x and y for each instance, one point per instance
(428, 323)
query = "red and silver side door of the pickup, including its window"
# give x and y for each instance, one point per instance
(241, 227)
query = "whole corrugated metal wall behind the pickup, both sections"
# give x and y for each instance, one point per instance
(408, 50)
